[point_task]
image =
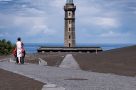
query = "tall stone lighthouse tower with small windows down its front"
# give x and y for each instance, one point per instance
(69, 33)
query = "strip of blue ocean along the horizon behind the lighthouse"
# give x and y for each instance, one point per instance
(32, 47)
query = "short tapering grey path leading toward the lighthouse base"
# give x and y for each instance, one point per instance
(69, 62)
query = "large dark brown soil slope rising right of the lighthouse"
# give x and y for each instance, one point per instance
(118, 61)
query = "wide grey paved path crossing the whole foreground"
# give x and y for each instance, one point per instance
(69, 79)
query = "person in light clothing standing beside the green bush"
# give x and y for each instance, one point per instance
(19, 46)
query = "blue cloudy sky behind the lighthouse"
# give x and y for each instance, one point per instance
(42, 21)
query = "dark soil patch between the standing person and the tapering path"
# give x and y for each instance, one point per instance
(52, 59)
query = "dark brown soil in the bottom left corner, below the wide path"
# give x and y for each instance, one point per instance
(12, 81)
